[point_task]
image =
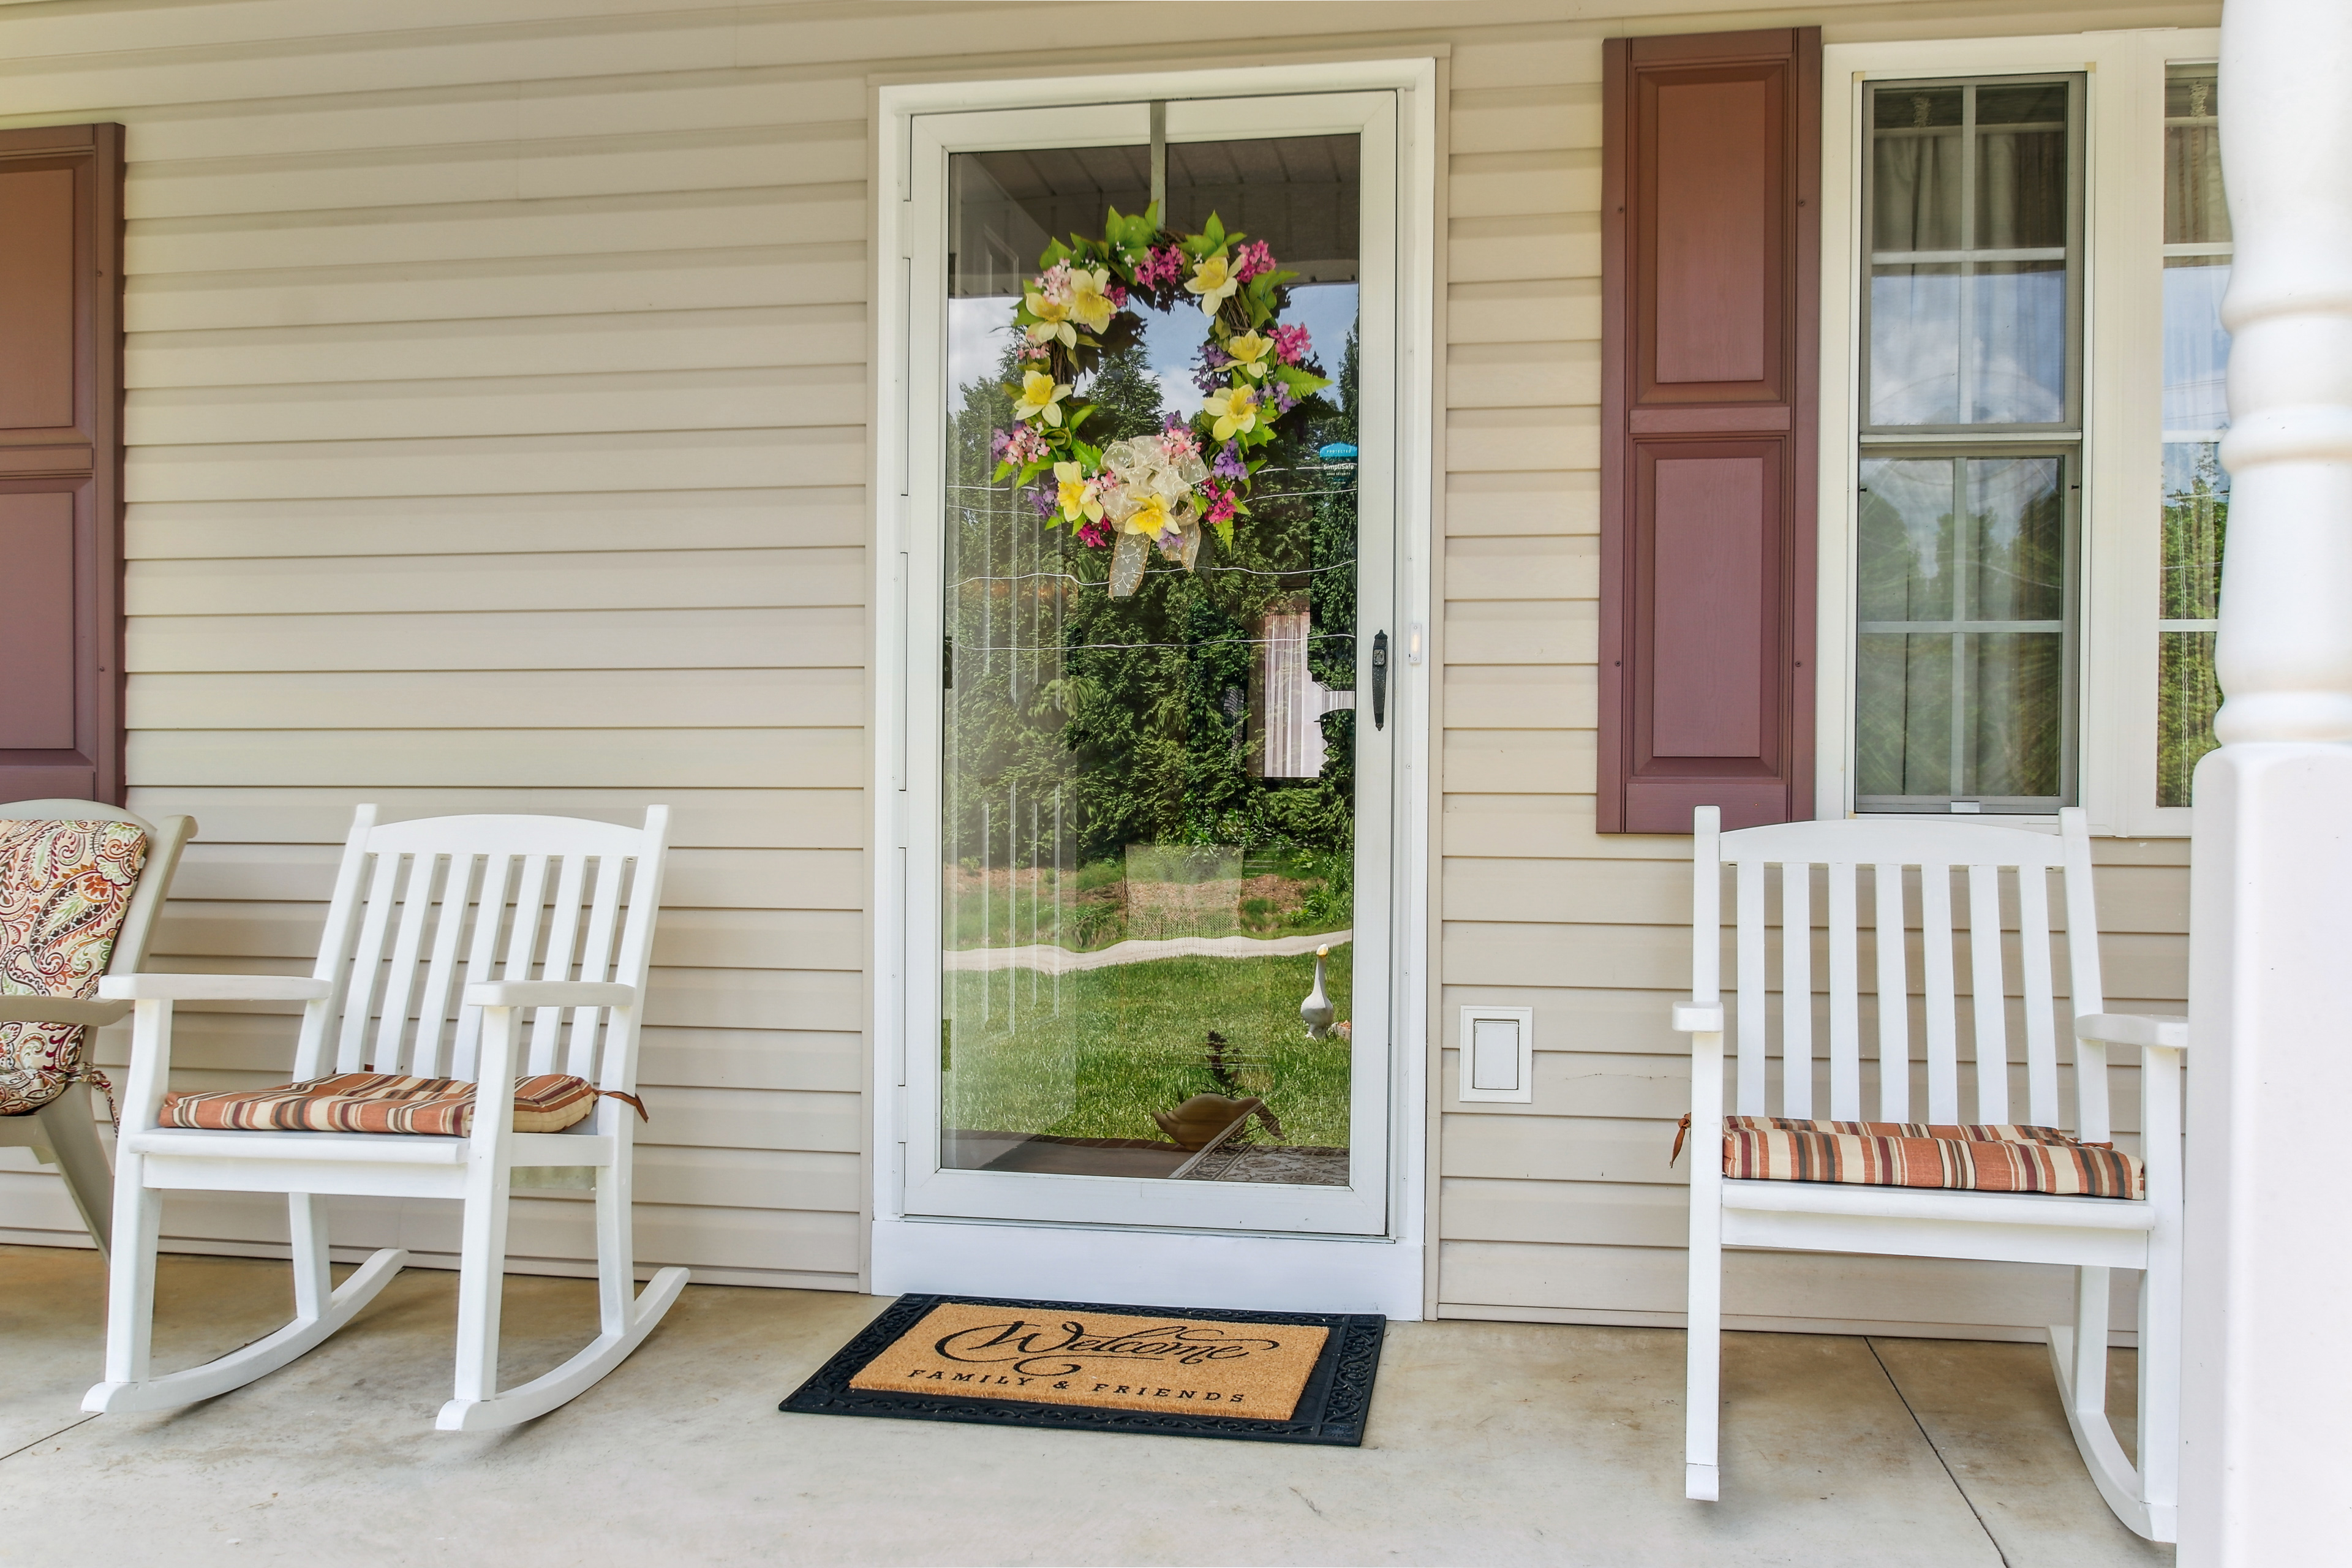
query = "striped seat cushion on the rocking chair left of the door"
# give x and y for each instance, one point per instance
(377, 1104)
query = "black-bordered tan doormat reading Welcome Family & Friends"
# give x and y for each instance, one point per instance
(1177, 1372)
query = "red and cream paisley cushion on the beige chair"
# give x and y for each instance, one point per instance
(65, 890)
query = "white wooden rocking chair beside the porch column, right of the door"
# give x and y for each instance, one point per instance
(2092, 1235)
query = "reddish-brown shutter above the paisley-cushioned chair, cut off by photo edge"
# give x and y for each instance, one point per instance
(62, 462)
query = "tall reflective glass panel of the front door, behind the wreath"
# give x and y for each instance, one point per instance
(1151, 805)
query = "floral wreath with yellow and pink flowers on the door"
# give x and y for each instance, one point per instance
(1151, 490)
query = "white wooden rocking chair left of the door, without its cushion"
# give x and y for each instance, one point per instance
(441, 934)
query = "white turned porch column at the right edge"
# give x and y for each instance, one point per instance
(2269, 1318)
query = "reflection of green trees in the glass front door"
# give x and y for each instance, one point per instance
(1081, 725)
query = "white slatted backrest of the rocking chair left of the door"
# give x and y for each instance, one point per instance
(415, 897)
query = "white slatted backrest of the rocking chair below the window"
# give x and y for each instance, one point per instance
(2005, 866)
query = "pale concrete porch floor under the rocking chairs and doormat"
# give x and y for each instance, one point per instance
(1490, 1445)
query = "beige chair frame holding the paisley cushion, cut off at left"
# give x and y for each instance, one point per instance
(67, 1127)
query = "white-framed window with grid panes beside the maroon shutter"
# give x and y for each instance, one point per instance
(2022, 509)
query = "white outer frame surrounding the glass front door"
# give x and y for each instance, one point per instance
(1038, 1259)
